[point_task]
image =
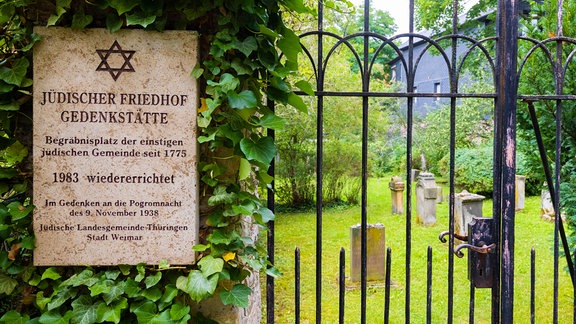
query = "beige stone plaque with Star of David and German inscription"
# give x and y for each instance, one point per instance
(115, 178)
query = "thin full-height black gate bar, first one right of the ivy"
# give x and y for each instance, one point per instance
(319, 157)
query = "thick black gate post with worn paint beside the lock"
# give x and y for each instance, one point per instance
(507, 93)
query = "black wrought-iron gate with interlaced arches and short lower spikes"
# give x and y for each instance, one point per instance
(505, 64)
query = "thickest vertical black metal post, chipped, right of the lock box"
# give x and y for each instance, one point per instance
(505, 158)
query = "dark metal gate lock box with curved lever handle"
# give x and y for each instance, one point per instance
(481, 258)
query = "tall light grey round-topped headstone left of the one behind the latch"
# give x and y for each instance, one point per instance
(426, 193)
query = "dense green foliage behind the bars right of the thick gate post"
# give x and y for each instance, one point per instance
(537, 78)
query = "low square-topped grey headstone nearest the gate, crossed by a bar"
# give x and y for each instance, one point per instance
(376, 252)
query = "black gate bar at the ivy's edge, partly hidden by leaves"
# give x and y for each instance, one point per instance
(270, 295)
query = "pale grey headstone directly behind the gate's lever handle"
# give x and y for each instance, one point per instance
(466, 206)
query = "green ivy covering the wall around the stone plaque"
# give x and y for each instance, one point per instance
(240, 67)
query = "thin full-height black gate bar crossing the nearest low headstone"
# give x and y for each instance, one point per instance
(364, 203)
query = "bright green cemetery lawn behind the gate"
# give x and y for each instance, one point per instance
(299, 230)
